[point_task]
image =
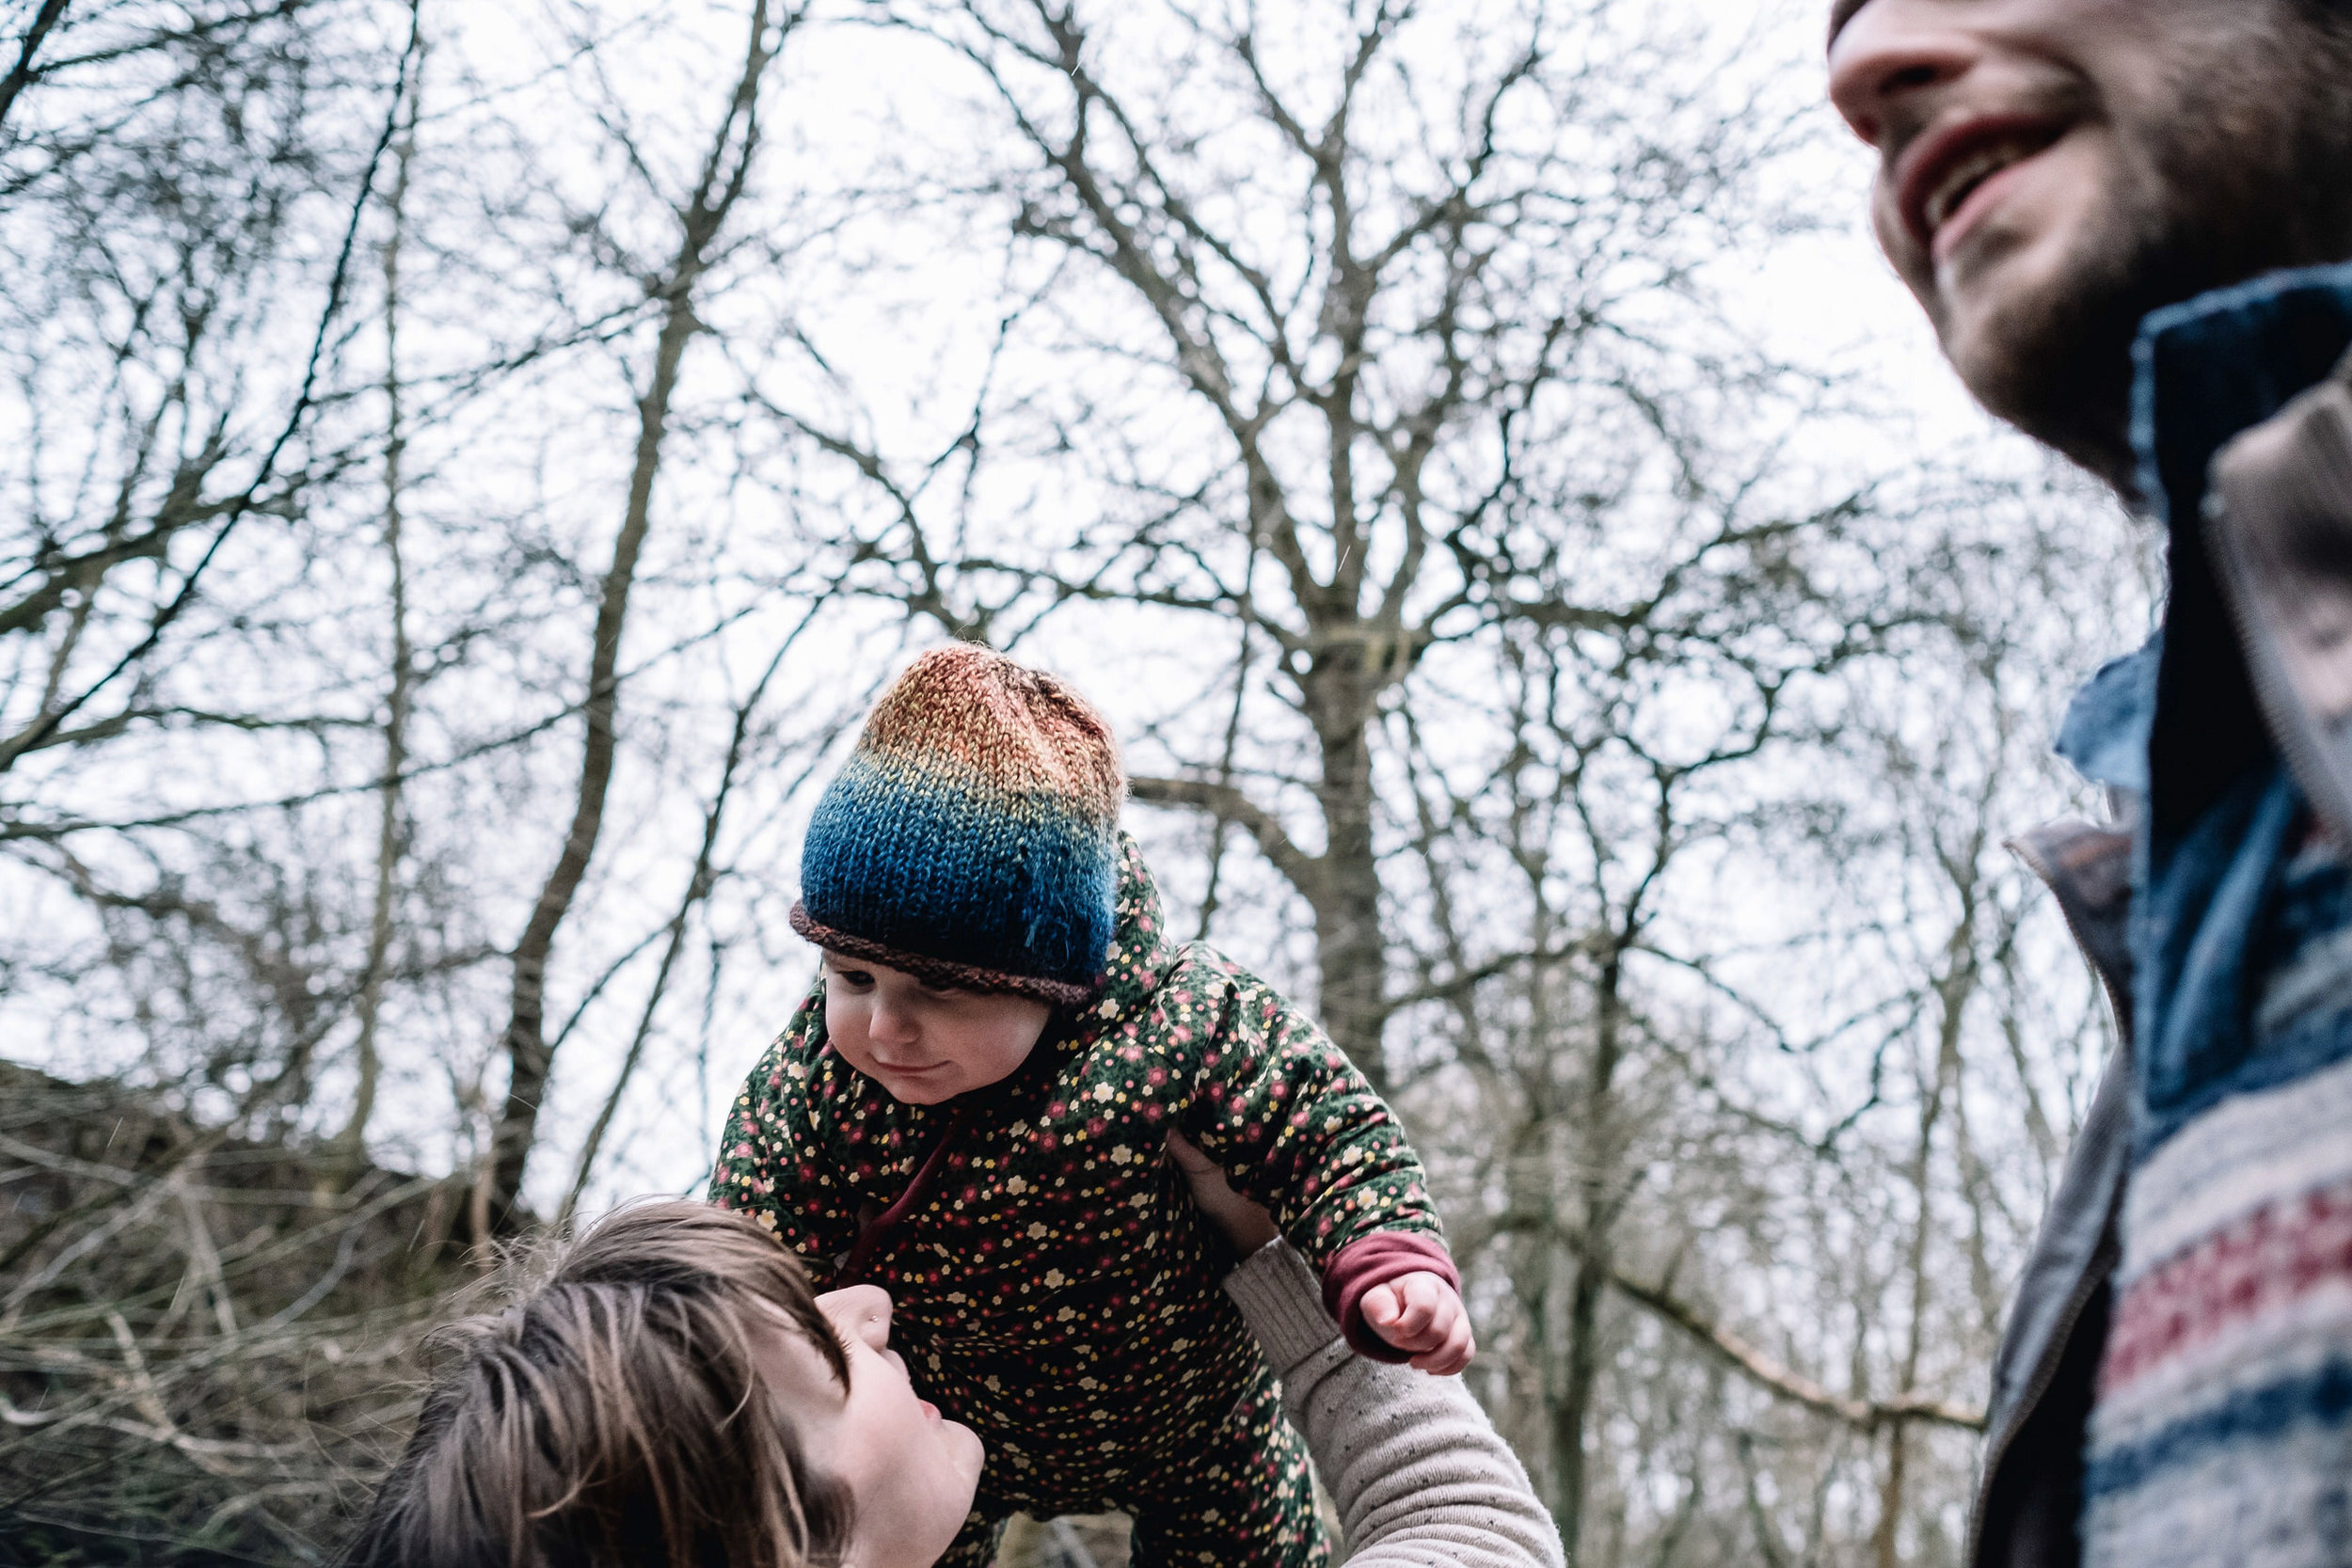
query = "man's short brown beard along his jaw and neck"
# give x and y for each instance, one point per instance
(2240, 170)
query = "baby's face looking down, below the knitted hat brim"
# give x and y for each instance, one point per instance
(921, 1043)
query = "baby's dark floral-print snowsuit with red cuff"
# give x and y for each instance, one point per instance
(1053, 1282)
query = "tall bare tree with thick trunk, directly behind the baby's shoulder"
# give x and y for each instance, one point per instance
(1382, 302)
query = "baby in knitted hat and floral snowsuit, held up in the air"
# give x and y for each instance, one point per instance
(973, 1111)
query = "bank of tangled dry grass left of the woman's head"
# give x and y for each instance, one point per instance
(208, 1348)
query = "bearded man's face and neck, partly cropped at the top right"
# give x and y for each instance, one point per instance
(2054, 170)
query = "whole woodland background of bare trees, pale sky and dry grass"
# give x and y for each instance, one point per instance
(467, 469)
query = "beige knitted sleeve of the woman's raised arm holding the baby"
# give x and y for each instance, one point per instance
(1415, 1466)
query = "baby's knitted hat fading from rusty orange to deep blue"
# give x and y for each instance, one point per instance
(975, 836)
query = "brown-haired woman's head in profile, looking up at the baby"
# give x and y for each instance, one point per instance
(674, 1395)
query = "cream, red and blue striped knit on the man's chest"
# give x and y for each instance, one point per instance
(2224, 1421)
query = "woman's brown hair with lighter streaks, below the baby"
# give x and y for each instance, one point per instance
(617, 1416)
